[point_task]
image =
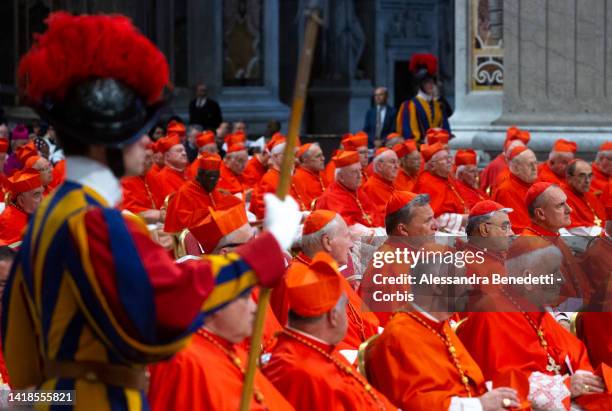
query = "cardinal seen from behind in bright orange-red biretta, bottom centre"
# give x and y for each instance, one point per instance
(304, 365)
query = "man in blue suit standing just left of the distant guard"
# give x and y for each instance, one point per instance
(380, 119)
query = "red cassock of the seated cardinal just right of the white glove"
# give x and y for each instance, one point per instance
(354, 207)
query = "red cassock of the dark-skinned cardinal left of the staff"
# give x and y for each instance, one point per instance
(190, 205)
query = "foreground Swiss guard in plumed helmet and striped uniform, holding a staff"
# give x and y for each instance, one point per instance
(91, 298)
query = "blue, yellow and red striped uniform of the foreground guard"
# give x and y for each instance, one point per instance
(90, 285)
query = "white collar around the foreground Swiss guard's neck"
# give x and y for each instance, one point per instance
(95, 175)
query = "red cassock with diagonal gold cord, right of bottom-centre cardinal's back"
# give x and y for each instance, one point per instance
(412, 366)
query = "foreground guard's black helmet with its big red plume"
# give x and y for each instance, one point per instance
(95, 78)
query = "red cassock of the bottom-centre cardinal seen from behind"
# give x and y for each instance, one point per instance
(311, 381)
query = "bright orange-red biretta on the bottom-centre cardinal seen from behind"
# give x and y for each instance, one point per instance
(316, 289)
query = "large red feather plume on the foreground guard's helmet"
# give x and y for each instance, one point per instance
(77, 48)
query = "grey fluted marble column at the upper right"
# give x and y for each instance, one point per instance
(558, 64)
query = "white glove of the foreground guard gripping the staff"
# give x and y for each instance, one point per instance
(282, 219)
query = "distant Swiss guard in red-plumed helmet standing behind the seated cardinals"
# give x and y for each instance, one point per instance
(425, 110)
